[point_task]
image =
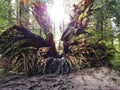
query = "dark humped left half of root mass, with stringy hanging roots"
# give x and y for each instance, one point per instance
(19, 48)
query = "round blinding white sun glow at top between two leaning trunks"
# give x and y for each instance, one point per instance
(57, 12)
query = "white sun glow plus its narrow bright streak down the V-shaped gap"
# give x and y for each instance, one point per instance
(58, 16)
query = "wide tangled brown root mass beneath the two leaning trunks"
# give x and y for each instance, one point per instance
(21, 55)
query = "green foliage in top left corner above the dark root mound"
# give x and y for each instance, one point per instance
(6, 15)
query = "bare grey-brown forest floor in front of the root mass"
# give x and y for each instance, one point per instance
(100, 78)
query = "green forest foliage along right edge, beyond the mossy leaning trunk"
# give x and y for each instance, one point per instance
(101, 26)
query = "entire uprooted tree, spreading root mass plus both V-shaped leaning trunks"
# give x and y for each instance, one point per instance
(26, 52)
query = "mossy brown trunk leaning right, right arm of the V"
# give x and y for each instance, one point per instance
(79, 22)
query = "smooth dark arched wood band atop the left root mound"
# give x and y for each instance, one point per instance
(32, 39)
